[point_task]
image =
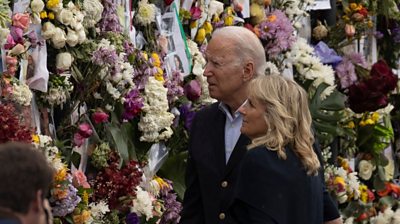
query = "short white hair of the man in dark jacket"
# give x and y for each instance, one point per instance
(246, 44)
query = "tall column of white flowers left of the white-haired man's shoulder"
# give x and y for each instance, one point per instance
(156, 121)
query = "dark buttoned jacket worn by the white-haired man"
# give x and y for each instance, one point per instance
(210, 182)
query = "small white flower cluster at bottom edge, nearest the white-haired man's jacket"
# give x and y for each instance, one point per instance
(143, 203)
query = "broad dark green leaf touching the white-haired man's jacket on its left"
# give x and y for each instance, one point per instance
(174, 169)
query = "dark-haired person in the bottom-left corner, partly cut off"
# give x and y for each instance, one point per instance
(25, 179)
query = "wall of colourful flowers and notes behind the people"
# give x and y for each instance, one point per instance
(108, 90)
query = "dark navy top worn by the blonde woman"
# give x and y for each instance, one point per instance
(277, 191)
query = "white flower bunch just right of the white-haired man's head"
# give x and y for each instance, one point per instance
(310, 67)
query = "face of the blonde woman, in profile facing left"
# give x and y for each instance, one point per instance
(254, 124)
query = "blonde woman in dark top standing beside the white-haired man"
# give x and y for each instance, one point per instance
(279, 180)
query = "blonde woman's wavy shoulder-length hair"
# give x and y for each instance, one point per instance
(288, 118)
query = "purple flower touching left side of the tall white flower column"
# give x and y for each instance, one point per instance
(133, 105)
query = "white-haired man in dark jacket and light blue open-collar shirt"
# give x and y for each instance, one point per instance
(234, 56)
